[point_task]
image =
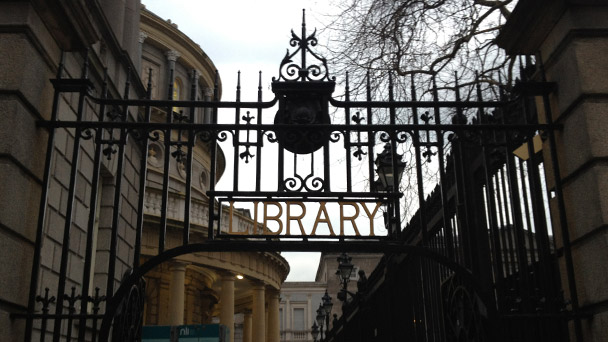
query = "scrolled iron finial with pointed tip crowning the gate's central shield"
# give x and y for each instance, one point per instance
(289, 70)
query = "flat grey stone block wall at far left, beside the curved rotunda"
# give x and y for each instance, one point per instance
(33, 34)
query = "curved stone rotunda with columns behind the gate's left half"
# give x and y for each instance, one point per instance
(198, 287)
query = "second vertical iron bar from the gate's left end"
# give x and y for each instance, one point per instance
(65, 247)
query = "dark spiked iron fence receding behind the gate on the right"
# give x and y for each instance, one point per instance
(489, 213)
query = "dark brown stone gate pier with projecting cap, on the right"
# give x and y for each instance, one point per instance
(569, 39)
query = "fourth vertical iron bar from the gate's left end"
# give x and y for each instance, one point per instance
(118, 192)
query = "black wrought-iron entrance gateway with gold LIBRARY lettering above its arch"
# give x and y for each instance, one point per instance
(430, 181)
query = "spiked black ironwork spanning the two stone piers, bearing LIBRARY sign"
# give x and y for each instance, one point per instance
(477, 242)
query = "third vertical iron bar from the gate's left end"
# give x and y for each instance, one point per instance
(86, 276)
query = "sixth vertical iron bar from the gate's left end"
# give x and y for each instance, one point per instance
(162, 234)
